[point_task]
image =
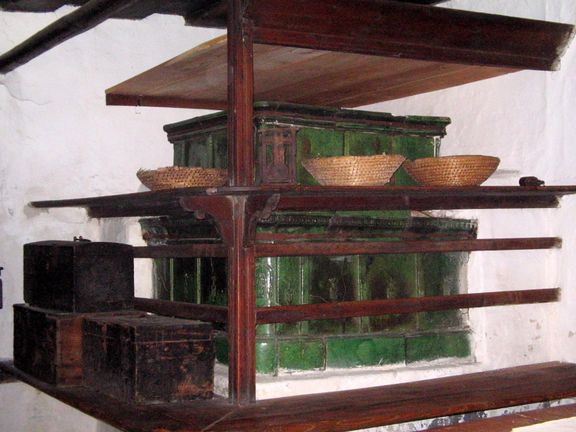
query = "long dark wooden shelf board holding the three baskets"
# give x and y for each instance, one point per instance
(309, 198)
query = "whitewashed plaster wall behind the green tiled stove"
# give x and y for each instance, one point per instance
(59, 140)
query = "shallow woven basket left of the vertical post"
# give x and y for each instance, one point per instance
(181, 177)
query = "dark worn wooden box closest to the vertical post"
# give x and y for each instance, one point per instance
(149, 359)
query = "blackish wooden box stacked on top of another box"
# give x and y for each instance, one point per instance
(79, 276)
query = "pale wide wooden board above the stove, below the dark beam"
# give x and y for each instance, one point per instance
(198, 77)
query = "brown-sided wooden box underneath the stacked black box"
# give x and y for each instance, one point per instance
(48, 343)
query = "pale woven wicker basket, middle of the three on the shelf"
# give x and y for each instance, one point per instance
(353, 170)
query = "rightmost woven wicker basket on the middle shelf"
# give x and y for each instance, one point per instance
(469, 170)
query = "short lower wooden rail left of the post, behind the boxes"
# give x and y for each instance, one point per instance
(210, 313)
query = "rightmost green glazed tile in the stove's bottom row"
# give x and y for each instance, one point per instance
(437, 345)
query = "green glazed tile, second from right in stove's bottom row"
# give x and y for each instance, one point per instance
(363, 351)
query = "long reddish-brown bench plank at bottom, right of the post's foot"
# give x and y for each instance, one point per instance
(357, 409)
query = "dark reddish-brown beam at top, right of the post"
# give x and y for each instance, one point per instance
(394, 29)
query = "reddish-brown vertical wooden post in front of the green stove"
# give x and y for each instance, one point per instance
(241, 302)
